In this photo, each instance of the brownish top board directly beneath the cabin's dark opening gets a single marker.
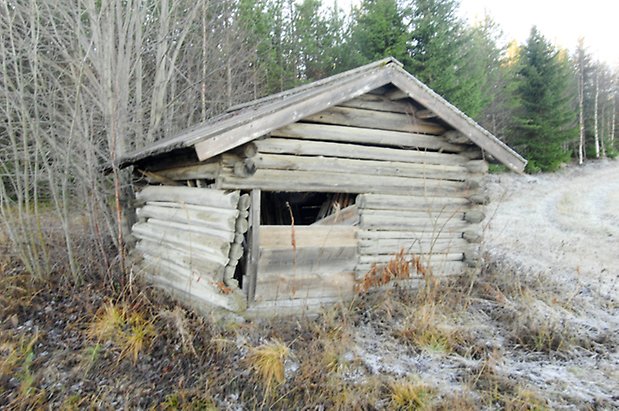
(280, 237)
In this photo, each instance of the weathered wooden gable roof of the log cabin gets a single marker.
(246, 122)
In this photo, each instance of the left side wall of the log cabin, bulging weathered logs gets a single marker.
(190, 240)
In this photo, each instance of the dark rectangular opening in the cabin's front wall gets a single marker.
(307, 208)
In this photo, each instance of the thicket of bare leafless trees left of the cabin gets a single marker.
(83, 82)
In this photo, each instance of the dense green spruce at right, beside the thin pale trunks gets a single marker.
(546, 119)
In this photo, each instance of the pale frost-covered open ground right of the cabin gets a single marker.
(565, 224)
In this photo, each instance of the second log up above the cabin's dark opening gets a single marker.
(355, 166)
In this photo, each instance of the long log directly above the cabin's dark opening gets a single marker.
(299, 181)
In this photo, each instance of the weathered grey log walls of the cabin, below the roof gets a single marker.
(419, 190)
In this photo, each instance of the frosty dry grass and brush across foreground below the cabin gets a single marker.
(505, 340)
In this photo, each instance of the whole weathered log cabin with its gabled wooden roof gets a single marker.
(291, 201)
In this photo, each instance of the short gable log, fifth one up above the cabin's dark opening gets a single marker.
(353, 117)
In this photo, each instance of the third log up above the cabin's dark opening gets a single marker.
(328, 149)
